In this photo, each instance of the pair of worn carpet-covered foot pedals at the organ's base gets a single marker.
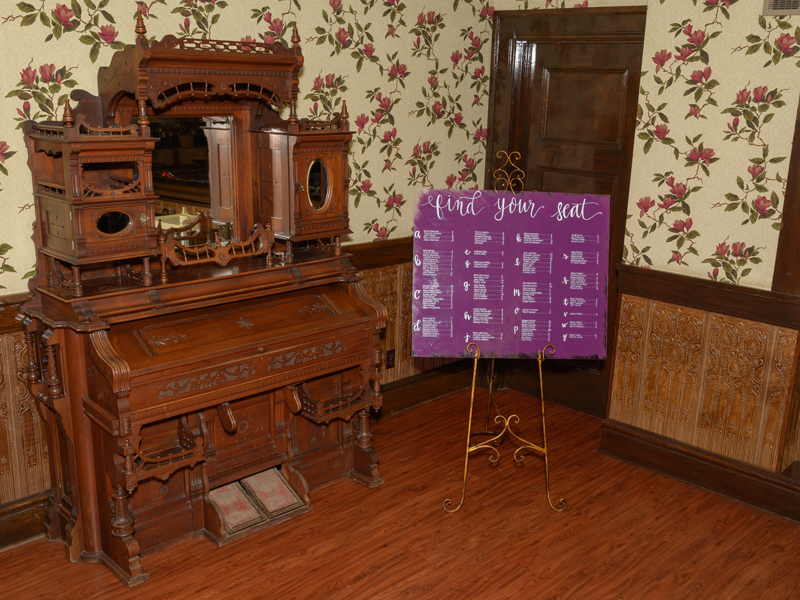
(256, 500)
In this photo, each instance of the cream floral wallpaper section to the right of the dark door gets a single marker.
(717, 107)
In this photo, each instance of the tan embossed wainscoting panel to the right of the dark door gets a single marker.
(712, 381)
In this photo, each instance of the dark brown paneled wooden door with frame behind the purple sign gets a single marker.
(564, 94)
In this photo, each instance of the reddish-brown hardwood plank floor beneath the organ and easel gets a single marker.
(628, 533)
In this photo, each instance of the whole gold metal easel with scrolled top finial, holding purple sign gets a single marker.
(509, 177)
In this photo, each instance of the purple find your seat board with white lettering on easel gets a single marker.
(510, 272)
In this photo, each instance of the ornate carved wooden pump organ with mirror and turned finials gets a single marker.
(177, 347)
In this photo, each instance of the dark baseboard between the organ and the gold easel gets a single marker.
(425, 387)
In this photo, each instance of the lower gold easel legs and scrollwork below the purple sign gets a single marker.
(506, 422)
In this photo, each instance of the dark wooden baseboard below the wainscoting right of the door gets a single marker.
(762, 489)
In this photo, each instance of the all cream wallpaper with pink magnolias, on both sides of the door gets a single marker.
(716, 115)
